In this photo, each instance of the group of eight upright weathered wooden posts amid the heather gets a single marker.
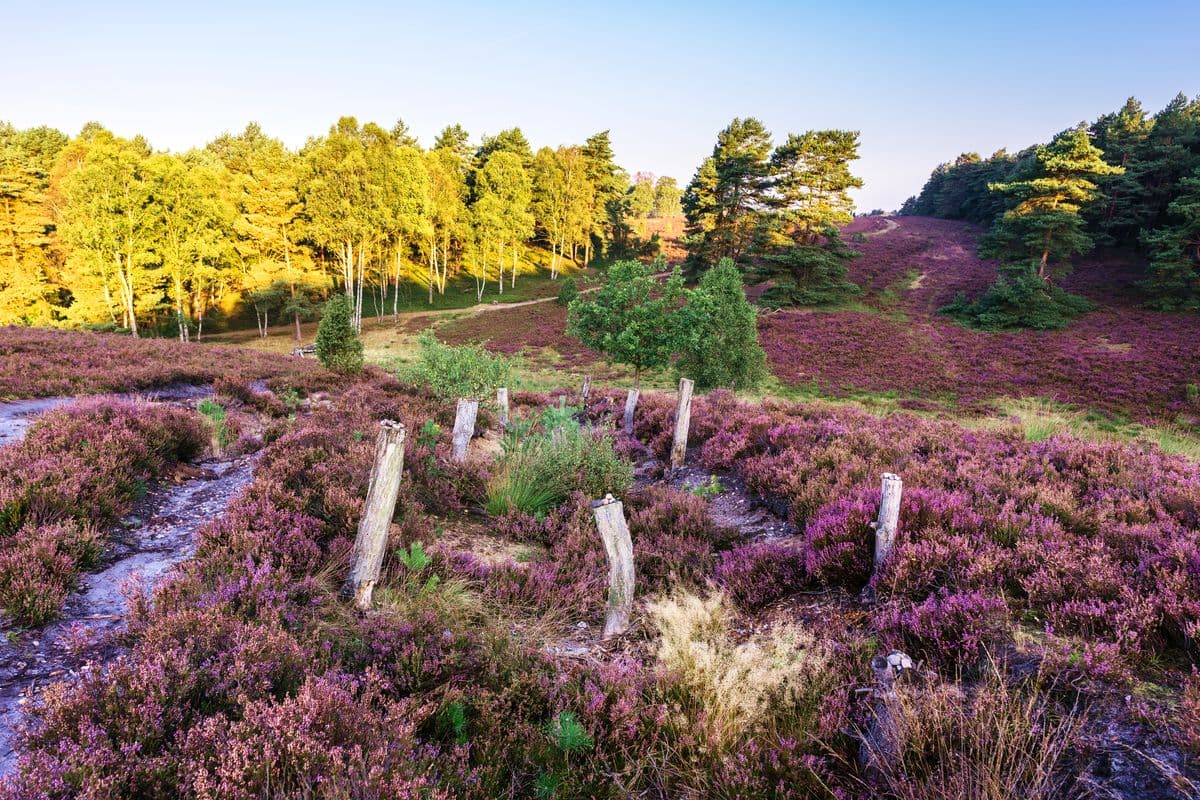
(371, 542)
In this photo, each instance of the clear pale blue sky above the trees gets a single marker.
(923, 82)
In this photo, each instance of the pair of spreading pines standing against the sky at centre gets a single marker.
(775, 210)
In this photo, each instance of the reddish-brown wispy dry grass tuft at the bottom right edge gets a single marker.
(1001, 741)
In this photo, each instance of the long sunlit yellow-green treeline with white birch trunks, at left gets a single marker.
(105, 231)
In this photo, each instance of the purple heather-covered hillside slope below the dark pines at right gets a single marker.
(1119, 359)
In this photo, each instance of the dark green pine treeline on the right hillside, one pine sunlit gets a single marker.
(1141, 189)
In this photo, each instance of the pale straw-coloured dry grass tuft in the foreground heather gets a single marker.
(730, 691)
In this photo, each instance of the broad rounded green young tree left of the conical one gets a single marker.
(631, 318)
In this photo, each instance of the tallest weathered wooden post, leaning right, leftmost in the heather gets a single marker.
(367, 558)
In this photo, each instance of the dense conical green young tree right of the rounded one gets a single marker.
(721, 342)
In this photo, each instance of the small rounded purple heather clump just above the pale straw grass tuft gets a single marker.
(759, 574)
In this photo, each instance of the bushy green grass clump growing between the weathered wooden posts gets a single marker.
(547, 461)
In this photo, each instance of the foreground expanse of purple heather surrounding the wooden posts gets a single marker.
(1035, 584)
